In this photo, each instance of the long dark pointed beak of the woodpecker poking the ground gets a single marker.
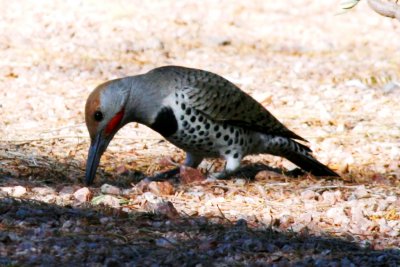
(97, 148)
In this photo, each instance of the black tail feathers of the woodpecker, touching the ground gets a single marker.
(310, 164)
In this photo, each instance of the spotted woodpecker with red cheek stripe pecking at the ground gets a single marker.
(198, 111)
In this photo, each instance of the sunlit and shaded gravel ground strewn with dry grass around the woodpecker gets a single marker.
(333, 79)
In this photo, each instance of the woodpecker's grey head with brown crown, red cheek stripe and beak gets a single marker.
(105, 114)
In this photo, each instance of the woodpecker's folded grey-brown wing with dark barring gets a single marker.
(221, 100)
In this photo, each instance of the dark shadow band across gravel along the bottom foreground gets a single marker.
(36, 233)
